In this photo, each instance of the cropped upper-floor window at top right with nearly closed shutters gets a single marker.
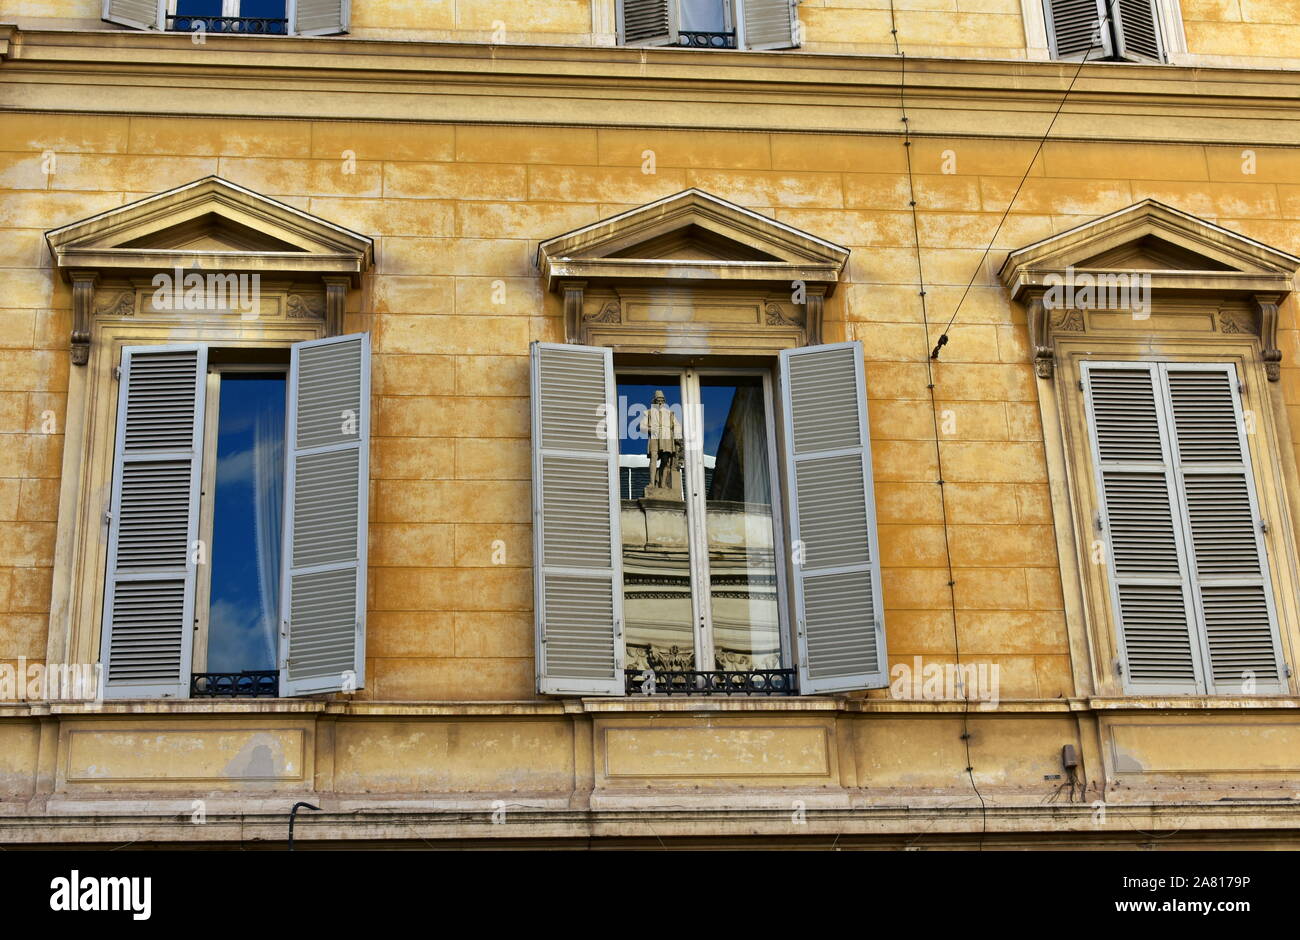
(1129, 31)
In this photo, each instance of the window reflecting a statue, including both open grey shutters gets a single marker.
(660, 535)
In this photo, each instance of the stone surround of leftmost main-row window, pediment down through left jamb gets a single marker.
(304, 296)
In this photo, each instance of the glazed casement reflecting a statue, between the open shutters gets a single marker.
(700, 577)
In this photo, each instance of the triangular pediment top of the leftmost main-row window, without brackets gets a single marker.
(215, 224)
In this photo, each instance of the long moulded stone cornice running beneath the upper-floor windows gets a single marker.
(348, 79)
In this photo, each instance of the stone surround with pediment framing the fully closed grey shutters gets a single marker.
(1227, 313)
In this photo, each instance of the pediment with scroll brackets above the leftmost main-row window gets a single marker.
(213, 227)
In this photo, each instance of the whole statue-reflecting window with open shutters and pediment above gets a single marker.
(704, 513)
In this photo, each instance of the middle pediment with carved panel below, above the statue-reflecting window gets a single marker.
(695, 271)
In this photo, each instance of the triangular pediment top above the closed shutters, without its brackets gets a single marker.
(1176, 248)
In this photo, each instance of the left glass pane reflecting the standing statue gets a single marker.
(660, 620)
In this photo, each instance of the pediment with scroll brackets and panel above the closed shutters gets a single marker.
(1150, 271)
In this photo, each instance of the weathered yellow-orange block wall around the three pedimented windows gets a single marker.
(456, 210)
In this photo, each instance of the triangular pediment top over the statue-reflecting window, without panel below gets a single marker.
(692, 236)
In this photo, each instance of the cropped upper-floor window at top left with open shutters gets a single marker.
(242, 18)
